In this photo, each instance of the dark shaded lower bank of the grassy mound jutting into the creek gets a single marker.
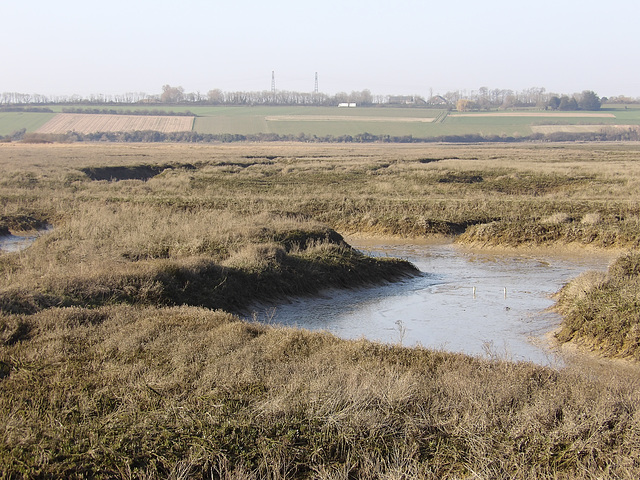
(200, 281)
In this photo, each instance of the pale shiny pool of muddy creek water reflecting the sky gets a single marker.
(474, 303)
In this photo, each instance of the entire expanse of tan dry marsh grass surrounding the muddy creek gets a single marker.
(110, 367)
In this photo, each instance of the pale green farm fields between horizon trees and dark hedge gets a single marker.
(335, 121)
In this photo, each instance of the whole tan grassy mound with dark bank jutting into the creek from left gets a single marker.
(110, 256)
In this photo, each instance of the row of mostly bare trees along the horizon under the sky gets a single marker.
(481, 99)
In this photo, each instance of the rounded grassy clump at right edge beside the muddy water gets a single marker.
(602, 311)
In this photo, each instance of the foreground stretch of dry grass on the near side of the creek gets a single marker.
(150, 392)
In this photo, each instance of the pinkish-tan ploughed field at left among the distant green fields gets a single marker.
(91, 123)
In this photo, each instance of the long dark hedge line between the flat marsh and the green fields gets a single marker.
(631, 134)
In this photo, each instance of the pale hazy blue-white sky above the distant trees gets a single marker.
(389, 47)
